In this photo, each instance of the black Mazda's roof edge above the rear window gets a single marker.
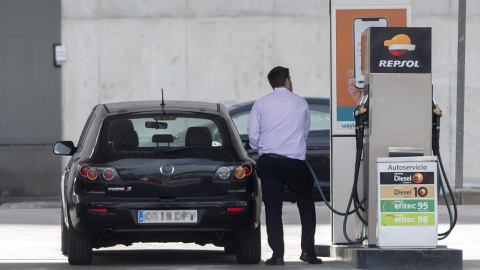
(156, 105)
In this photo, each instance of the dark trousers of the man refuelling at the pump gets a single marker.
(275, 173)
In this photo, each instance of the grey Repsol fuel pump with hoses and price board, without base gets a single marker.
(396, 113)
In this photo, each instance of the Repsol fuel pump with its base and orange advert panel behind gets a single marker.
(393, 140)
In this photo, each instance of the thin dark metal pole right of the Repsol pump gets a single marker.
(462, 6)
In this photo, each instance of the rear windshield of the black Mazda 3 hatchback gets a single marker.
(162, 135)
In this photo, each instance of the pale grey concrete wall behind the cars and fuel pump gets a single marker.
(221, 51)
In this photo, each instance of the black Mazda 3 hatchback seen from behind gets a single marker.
(154, 171)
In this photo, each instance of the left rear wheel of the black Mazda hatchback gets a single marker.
(79, 248)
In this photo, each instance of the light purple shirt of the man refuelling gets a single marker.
(279, 123)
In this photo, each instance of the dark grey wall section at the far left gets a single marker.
(30, 104)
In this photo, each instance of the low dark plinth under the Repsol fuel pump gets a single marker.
(362, 257)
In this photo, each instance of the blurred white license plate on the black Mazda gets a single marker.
(167, 216)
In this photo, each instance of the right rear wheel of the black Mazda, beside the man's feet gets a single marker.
(249, 248)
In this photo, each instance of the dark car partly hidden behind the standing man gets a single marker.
(318, 141)
